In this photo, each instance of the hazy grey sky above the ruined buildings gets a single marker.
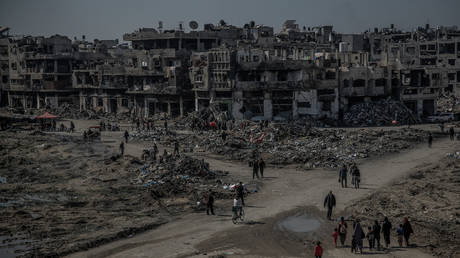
(109, 19)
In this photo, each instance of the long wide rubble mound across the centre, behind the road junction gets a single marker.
(294, 143)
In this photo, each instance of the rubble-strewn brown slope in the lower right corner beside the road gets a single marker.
(429, 198)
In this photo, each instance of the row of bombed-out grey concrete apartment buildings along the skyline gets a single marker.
(250, 71)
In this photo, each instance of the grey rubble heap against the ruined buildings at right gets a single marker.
(379, 113)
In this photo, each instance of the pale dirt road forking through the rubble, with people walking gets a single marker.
(284, 190)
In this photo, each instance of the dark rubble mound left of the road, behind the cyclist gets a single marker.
(179, 176)
